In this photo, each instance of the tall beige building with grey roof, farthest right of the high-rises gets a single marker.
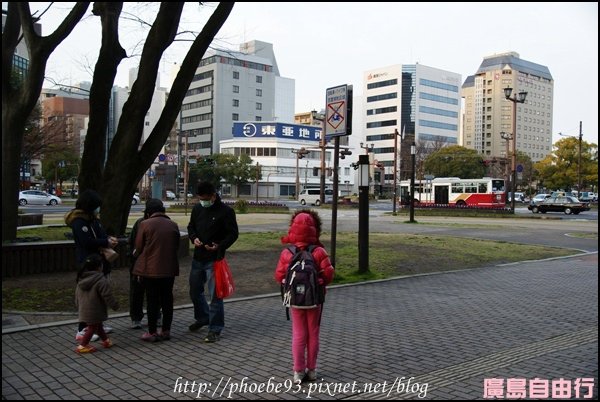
(487, 113)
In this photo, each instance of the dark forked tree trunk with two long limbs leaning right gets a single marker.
(125, 165)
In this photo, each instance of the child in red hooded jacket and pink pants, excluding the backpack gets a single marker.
(304, 231)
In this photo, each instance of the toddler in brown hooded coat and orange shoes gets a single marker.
(93, 296)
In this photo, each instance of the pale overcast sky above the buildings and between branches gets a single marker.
(321, 45)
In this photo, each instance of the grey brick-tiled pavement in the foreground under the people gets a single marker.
(447, 331)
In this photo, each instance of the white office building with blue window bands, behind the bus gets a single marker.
(421, 103)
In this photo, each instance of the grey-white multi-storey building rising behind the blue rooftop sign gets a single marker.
(232, 86)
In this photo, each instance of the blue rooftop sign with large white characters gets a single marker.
(277, 130)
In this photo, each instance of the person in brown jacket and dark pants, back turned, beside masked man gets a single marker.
(157, 265)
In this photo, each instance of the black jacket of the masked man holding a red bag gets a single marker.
(215, 224)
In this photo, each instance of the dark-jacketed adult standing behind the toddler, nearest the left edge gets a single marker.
(89, 236)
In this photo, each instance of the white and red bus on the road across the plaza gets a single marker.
(486, 192)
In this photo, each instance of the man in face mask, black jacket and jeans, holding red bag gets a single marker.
(212, 229)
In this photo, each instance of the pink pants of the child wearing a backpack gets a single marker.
(305, 338)
